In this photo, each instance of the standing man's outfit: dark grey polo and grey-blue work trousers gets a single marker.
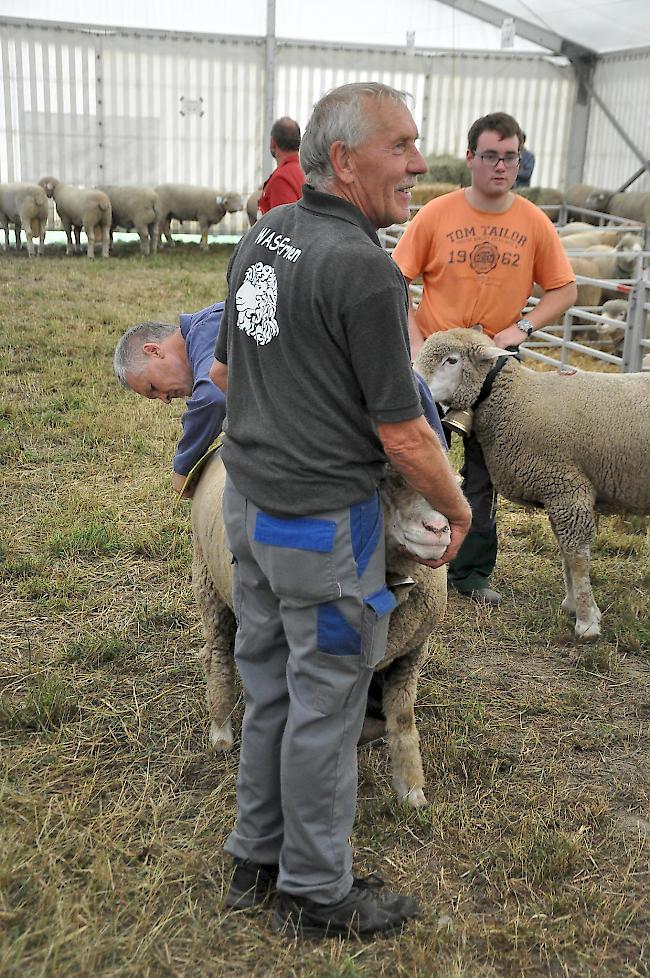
(315, 339)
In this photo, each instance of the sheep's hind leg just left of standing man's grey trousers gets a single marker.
(217, 658)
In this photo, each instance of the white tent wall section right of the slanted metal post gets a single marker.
(622, 80)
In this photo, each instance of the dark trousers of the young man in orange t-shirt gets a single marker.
(476, 558)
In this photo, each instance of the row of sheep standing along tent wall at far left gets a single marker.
(101, 210)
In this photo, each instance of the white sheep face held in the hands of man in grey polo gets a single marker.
(411, 522)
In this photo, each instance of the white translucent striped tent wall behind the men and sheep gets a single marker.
(95, 105)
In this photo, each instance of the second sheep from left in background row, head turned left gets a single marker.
(79, 208)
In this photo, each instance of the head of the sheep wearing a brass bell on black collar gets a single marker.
(455, 363)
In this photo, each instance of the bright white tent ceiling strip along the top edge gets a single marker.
(604, 25)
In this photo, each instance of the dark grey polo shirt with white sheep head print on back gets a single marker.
(315, 337)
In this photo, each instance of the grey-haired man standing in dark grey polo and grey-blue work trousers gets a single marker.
(314, 352)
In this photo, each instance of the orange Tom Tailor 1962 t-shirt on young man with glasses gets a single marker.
(477, 266)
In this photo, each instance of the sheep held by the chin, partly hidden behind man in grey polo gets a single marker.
(420, 590)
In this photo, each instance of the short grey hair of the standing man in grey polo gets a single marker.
(340, 115)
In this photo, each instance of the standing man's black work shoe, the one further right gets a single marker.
(369, 908)
